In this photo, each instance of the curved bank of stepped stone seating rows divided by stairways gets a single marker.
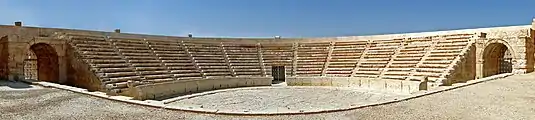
(131, 65)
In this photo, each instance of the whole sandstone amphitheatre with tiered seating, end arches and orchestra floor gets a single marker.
(262, 76)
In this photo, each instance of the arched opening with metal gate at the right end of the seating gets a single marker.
(497, 59)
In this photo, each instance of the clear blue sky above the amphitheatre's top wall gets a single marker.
(267, 18)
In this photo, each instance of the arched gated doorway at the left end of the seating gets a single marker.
(47, 62)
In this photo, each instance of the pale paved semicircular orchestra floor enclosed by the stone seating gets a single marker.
(285, 99)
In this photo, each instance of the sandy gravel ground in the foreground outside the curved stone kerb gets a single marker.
(510, 98)
